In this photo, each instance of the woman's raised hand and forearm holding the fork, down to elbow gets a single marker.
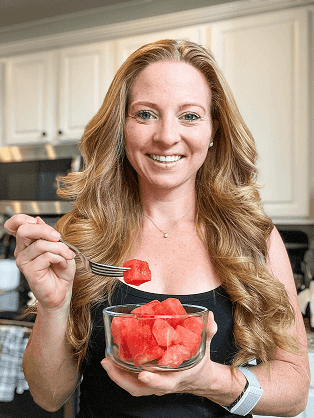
(49, 268)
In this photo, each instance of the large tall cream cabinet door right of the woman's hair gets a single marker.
(265, 61)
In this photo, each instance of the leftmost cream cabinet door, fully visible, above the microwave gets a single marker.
(30, 98)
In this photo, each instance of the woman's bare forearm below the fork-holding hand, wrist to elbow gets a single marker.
(48, 364)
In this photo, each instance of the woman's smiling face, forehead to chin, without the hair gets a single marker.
(168, 127)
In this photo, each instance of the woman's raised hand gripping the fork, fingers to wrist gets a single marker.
(47, 264)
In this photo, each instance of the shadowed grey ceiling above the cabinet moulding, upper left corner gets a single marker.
(14, 12)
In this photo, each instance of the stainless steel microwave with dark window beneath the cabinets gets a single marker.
(30, 176)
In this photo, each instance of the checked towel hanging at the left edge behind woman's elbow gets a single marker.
(12, 347)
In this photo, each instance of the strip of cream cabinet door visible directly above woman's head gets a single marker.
(127, 46)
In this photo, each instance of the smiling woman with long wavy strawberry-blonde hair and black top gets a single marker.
(169, 178)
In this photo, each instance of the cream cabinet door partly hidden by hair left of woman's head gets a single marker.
(85, 75)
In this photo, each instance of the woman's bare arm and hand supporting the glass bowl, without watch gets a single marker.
(285, 388)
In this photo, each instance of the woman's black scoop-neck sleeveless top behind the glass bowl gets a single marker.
(100, 397)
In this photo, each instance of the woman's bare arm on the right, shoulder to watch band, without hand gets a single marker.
(287, 388)
